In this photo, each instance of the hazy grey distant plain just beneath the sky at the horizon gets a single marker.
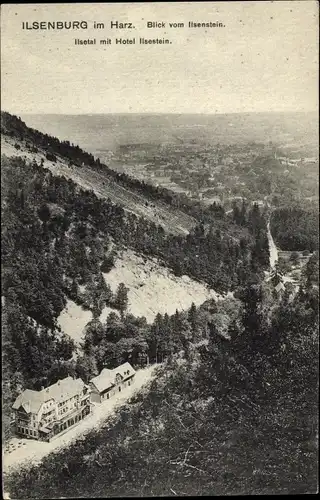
(107, 131)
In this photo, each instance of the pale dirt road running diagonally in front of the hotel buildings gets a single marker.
(19, 450)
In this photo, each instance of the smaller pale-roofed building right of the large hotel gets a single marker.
(111, 382)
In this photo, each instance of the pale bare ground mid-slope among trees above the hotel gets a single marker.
(152, 289)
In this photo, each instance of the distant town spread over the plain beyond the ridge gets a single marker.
(217, 174)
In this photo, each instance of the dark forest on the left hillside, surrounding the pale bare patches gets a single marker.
(56, 238)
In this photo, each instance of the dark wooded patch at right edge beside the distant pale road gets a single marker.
(296, 228)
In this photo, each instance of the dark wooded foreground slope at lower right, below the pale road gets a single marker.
(235, 416)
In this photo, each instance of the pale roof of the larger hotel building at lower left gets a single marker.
(62, 390)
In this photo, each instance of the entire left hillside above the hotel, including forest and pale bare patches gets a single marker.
(57, 239)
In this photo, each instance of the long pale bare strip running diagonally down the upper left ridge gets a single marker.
(18, 139)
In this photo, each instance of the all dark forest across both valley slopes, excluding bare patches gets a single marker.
(238, 376)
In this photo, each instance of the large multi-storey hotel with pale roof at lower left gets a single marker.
(44, 414)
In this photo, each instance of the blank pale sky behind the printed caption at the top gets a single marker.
(264, 59)
